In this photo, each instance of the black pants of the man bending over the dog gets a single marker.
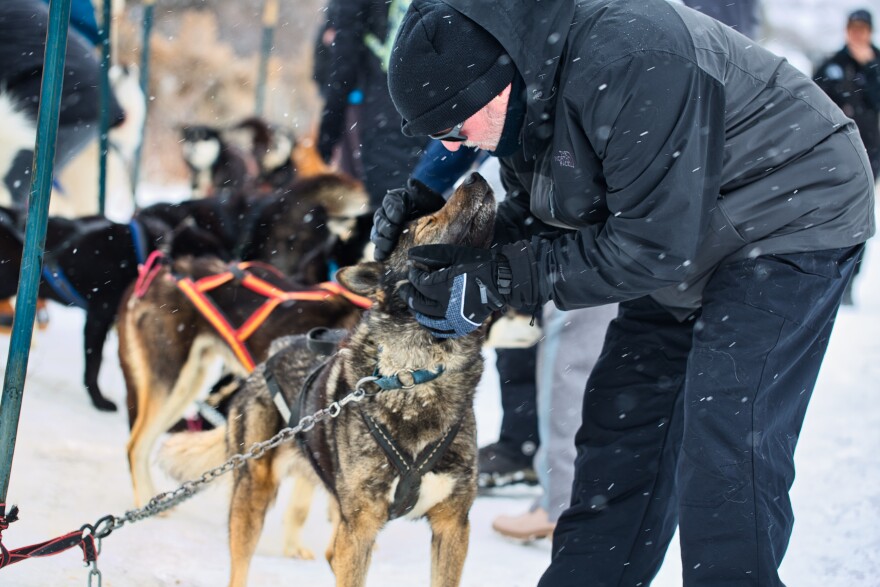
(695, 423)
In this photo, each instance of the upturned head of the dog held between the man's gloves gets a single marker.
(467, 219)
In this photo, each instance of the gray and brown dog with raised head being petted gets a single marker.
(352, 466)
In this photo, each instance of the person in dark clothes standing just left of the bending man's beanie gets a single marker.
(357, 59)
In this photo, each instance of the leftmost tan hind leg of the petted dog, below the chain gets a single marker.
(253, 490)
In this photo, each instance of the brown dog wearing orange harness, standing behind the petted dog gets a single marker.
(166, 342)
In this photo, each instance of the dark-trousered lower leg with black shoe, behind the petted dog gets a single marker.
(509, 459)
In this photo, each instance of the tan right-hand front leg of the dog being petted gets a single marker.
(449, 543)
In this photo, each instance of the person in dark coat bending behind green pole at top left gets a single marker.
(23, 28)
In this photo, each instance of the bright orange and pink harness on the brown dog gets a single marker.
(236, 338)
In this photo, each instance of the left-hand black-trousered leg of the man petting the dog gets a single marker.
(623, 514)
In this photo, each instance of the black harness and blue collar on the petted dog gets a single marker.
(410, 470)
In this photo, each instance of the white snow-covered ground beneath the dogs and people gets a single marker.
(70, 468)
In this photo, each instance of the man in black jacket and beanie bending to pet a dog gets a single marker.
(655, 158)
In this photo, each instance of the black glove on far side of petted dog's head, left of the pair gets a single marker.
(399, 207)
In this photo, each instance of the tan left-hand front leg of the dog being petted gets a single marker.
(353, 545)
